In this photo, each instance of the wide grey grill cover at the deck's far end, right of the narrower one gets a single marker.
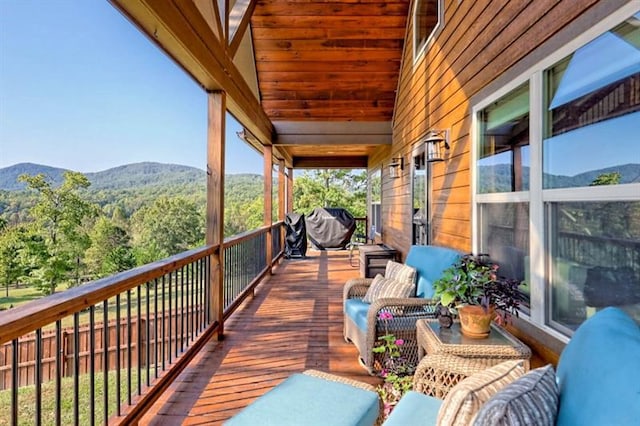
(330, 228)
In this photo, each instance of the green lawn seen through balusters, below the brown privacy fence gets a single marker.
(26, 399)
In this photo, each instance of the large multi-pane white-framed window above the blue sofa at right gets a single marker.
(557, 166)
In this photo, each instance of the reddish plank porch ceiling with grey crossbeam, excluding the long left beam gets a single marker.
(327, 74)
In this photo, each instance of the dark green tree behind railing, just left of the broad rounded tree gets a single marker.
(110, 250)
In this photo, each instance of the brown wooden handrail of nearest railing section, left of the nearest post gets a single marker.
(31, 316)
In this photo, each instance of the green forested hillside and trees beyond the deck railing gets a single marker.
(60, 228)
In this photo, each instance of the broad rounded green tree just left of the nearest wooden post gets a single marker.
(166, 227)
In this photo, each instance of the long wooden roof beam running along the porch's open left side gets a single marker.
(182, 32)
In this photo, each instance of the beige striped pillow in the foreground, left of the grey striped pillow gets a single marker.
(465, 399)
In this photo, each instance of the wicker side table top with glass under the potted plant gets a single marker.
(498, 347)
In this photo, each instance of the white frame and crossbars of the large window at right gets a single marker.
(539, 261)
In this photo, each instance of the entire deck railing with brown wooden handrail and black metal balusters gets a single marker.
(106, 351)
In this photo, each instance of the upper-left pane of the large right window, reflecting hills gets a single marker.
(503, 160)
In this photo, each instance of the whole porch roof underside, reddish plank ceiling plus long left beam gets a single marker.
(326, 71)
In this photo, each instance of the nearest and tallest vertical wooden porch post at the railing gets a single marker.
(215, 199)
